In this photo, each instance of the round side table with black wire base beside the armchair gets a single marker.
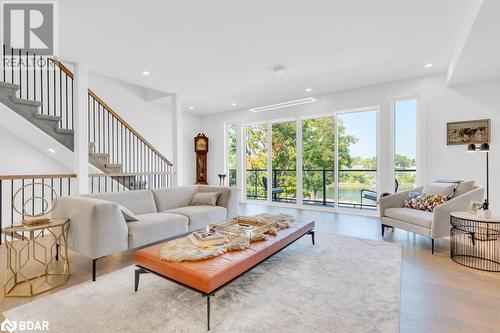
(475, 241)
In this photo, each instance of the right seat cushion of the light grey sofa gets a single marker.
(201, 216)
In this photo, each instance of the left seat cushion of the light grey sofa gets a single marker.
(155, 227)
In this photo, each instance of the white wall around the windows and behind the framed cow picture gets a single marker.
(438, 104)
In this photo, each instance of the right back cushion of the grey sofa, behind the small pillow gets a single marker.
(175, 197)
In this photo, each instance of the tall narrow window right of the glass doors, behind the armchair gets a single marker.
(405, 143)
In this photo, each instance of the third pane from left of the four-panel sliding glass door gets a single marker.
(318, 137)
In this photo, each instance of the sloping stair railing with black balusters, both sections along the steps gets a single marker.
(51, 83)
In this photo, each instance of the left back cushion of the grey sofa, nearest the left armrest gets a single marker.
(139, 202)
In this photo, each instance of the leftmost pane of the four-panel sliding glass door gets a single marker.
(256, 137)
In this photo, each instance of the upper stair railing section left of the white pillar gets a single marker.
(41, 79)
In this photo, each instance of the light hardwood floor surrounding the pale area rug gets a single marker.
(437, 294)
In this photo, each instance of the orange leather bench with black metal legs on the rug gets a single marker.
(209, 275)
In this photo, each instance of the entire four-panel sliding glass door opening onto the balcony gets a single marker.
(338, 155)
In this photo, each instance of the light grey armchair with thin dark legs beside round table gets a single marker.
(434, 224)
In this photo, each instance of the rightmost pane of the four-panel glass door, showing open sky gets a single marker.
(357, 159)
